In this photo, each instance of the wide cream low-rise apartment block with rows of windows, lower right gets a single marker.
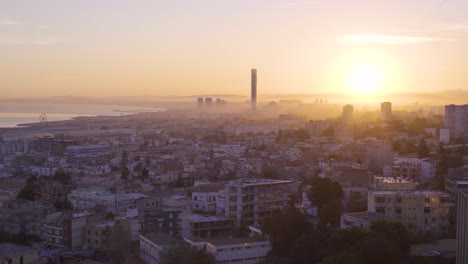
(419, 210)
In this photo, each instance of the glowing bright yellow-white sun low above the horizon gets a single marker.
(365, 78)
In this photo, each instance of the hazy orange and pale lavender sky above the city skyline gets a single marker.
(191, 47)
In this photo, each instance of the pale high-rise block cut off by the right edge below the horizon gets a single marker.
(456, 119)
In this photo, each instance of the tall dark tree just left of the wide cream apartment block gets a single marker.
(327, 195)
